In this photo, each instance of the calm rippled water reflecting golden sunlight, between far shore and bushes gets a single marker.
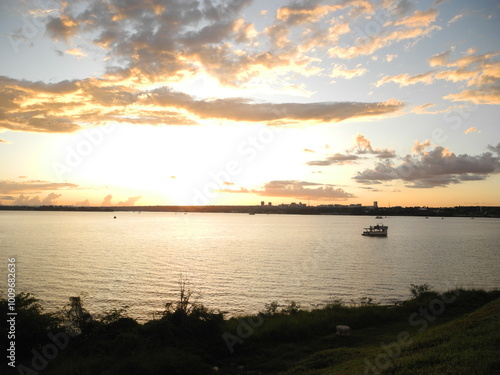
(238, 262)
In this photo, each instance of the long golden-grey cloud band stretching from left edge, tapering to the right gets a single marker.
(68, 106)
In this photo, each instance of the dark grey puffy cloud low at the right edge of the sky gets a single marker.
(438, 167)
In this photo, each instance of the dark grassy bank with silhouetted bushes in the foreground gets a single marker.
(456, 332)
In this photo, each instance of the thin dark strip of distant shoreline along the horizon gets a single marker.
(458, 211)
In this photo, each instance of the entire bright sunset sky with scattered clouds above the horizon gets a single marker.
(200, 102)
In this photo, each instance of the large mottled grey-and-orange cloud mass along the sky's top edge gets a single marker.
(164, 41)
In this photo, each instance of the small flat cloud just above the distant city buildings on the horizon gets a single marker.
(298, 190)
